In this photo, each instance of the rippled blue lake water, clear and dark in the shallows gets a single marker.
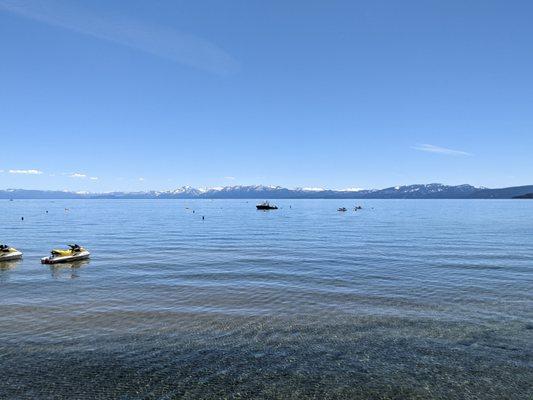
(429, 299)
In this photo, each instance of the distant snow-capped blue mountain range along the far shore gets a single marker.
(428, 191)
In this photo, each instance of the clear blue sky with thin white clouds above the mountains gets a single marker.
(152, 95)
